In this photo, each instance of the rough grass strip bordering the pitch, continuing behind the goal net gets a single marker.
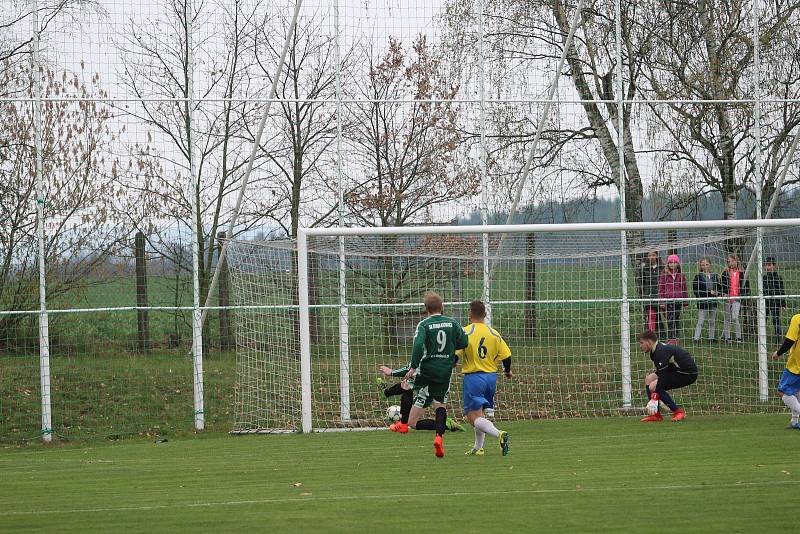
(106, 394)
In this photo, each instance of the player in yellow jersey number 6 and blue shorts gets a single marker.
(479, 364)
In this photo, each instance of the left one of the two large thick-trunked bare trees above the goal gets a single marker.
(526, 36)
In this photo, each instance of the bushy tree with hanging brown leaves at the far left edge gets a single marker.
(81, 200)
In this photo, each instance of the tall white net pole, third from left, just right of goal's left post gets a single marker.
(344, 317)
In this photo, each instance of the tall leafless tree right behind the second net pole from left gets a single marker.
(216, 132)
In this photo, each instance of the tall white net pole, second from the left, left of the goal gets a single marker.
(194, 180)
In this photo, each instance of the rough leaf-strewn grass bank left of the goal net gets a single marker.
(109, 394)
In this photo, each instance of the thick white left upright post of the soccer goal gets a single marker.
(305, 331)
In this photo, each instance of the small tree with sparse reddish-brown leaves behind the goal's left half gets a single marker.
(409, 146)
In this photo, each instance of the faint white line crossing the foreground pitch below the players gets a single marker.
(609, 489)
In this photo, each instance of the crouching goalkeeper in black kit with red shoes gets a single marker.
(675, 368)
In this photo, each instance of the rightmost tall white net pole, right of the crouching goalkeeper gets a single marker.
(763, 385)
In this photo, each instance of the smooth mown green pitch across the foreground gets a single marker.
(708, 474)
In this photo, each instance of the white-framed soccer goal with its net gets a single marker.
(317, 316)
